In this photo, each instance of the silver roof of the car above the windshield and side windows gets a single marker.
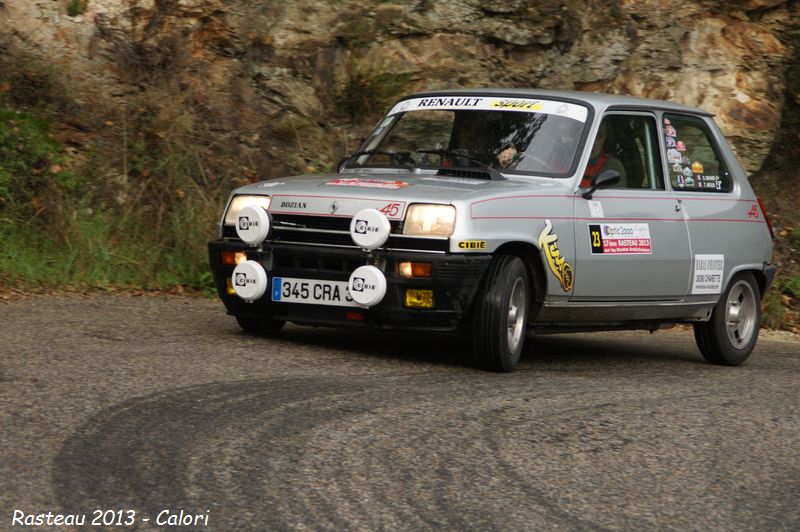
(599, 101)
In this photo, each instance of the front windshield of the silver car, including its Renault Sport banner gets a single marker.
(524, 136)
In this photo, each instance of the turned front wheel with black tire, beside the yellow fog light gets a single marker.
(495, 343)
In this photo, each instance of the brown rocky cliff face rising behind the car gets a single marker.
(289, 85)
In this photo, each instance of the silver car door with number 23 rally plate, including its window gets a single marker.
(632, 241)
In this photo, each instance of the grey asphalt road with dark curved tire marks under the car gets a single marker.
(151, 404)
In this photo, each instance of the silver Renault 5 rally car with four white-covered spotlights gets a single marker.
(496, 212)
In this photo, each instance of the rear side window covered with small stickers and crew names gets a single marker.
(694, 162)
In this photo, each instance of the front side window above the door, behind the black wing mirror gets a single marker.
(629, 145)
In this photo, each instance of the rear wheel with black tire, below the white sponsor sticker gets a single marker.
(728, 338)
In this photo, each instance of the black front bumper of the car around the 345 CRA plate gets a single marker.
(454, 281)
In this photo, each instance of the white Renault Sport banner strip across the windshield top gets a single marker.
(493, 103)
